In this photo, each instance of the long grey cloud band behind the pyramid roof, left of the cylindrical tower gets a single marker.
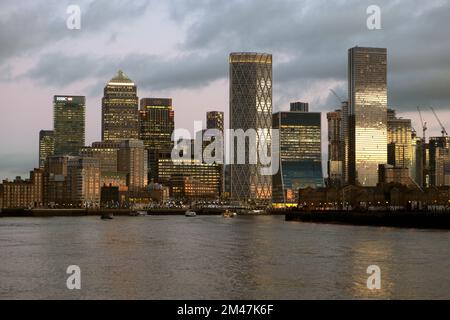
(151, 72)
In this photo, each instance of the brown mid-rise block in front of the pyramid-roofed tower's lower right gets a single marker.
(132, 159)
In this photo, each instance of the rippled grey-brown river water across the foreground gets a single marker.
(216, 258)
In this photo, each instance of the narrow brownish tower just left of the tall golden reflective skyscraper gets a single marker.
(335, 149)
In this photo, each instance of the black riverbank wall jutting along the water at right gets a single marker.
(396, 219)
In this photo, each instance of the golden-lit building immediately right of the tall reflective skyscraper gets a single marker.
(399, 141)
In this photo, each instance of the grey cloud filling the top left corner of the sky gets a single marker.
(31, 26)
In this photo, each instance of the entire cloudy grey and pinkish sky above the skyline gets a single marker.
(179, 49)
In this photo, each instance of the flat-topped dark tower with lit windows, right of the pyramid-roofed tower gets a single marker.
(157, 124)
